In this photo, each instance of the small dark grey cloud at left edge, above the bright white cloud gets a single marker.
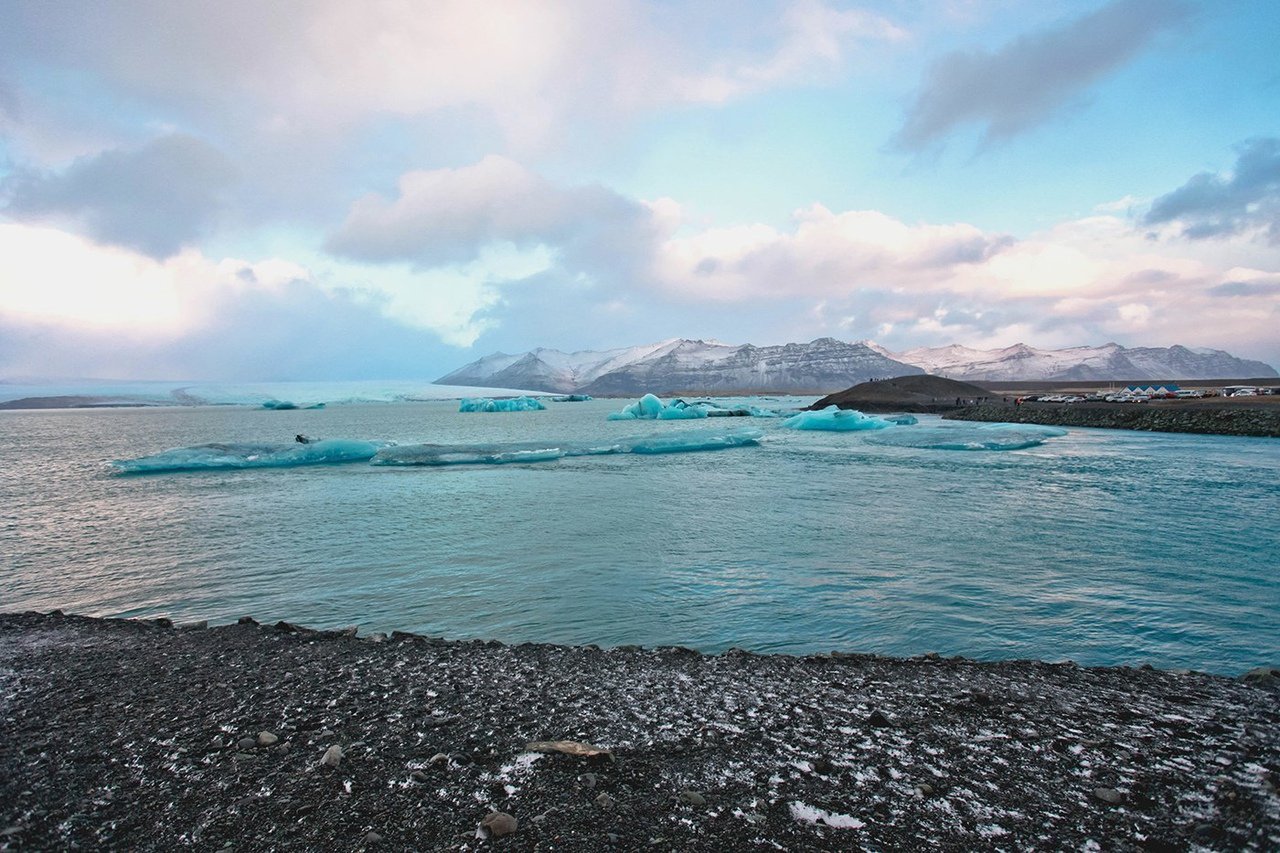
(156, 199)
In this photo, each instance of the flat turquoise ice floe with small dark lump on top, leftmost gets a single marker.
(220, 457)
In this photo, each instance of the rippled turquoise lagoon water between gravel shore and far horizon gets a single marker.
(1100, 546)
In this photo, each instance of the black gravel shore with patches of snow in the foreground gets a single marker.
(144, 736)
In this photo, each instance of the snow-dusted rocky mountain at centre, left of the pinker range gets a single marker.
(687, 366)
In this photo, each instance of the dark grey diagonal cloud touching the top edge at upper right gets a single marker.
(1022, 84)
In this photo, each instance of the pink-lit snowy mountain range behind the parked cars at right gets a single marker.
(1105, 363)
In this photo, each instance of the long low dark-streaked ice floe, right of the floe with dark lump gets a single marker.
(682, 443)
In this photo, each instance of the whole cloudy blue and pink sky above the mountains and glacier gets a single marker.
(330, 190)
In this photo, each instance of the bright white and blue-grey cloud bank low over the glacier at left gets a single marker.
(74, 308)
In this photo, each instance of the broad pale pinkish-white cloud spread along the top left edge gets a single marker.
(532, 69)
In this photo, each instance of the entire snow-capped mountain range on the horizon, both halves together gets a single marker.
(682, 366)
